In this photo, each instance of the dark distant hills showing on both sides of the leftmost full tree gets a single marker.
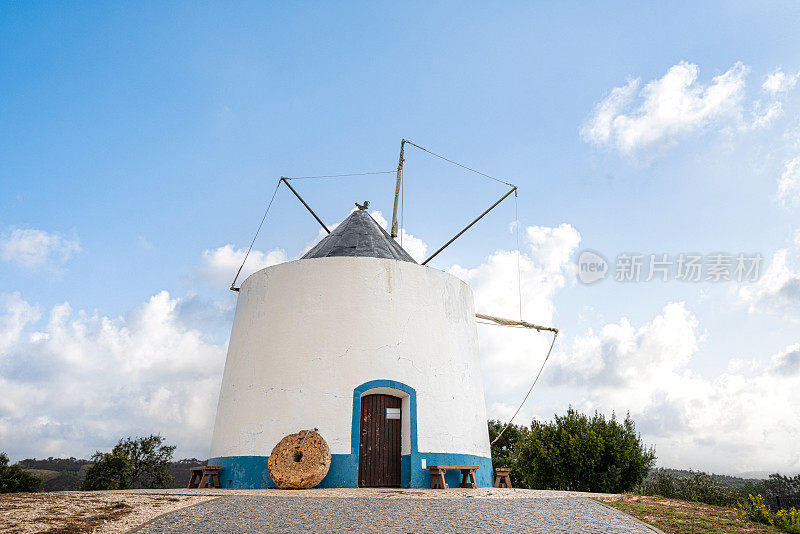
(63, 474)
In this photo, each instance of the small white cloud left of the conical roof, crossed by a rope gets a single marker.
(221, 264)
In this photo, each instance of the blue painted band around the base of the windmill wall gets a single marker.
(251, 472)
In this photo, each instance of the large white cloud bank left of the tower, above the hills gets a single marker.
(80, 382)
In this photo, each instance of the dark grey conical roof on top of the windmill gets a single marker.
(359, 235)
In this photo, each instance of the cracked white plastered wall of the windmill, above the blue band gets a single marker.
(306, 333)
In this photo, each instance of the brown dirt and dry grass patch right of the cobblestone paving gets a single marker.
(682, 517)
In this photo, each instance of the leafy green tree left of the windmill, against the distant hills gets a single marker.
(132, 463)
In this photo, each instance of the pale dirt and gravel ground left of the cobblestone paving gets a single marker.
(79, 512)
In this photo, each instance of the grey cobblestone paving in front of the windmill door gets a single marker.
(248, 513)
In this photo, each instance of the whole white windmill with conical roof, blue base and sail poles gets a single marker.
(357, 339)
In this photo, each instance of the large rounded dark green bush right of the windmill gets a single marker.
(580, 453)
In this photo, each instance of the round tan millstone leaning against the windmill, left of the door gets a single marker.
(290, 470)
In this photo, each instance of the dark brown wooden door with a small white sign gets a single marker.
(379, 444)
